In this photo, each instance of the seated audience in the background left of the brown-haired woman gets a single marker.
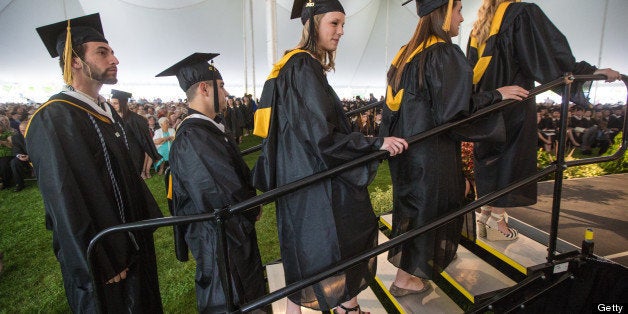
(162, 119)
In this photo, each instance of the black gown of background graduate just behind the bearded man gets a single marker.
(140, 141)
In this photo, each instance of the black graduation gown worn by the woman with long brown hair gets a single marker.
(428, 180)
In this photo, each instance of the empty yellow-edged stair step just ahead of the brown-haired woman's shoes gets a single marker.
(470, 274)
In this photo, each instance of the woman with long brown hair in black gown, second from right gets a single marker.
(429, 84)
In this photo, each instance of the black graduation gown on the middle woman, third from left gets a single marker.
(332, 220)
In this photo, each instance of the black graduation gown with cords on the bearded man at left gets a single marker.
(75, 180)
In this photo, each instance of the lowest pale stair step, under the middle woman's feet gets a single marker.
(276, 280)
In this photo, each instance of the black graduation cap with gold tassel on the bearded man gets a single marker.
(59, 38)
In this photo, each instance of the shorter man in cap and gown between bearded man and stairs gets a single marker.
(209, 173)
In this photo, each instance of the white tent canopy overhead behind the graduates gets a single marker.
(150, 35)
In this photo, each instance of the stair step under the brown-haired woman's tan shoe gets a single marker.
(434, 302)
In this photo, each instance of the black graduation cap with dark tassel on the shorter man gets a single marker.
(194, 69)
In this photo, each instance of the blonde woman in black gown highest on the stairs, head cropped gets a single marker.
(516, 44)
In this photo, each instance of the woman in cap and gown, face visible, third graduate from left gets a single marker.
(329, 221)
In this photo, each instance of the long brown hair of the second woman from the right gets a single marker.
(429, 25)
